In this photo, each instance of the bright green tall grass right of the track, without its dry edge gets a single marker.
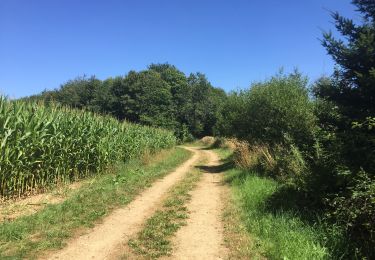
(281, 234)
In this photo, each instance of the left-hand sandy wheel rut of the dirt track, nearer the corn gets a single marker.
(105, 239)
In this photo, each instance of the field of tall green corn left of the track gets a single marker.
(42, 145)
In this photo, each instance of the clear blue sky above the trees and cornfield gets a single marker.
(44, 43)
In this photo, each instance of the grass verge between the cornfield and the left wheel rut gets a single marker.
(27, 237)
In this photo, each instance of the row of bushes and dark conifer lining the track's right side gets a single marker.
(319, 141)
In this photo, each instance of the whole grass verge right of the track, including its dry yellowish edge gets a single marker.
(263, 231)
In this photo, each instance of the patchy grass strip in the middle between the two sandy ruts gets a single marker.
(154, 240)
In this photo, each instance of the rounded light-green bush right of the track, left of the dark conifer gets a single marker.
(275, 112)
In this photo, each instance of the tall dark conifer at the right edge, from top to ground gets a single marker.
(348, 135)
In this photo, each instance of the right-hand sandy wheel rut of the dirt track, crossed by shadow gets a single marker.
(202, 237)
